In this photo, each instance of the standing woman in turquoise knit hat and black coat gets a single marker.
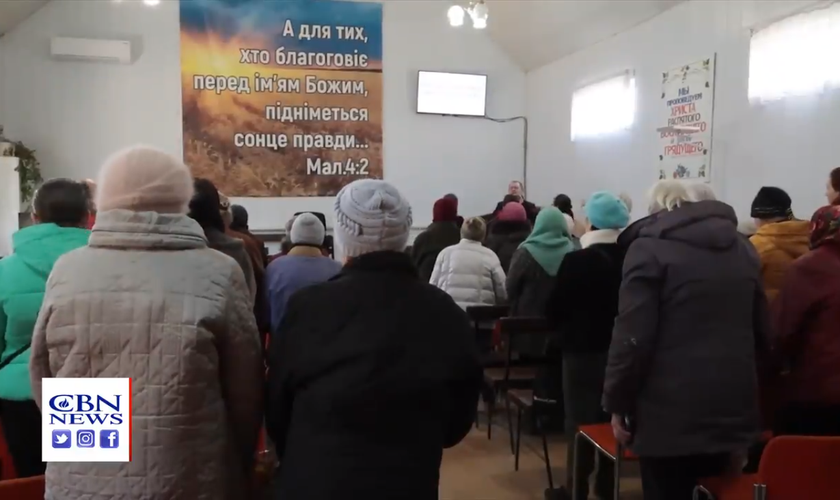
(582, 308)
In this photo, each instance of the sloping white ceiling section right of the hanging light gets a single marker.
(536, 32)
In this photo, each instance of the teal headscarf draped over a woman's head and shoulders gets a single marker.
(550, 241)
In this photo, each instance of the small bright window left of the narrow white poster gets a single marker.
(604, 107)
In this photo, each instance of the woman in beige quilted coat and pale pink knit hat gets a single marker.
(147, 299)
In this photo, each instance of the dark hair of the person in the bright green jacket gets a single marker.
(63, 202)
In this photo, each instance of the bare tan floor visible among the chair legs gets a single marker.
(482, 469)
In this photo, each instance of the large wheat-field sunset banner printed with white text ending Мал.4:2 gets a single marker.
(282, 98)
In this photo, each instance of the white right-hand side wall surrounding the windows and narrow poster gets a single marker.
(791, 144)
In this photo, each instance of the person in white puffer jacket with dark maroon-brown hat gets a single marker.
(469, 272)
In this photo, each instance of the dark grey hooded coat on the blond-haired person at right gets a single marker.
(692, 315)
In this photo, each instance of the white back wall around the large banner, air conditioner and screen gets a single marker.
(75, 114)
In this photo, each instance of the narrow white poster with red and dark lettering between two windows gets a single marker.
(685, 123)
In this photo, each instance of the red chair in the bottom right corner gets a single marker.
(791, 468)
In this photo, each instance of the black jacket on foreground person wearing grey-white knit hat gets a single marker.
(371, 375)
